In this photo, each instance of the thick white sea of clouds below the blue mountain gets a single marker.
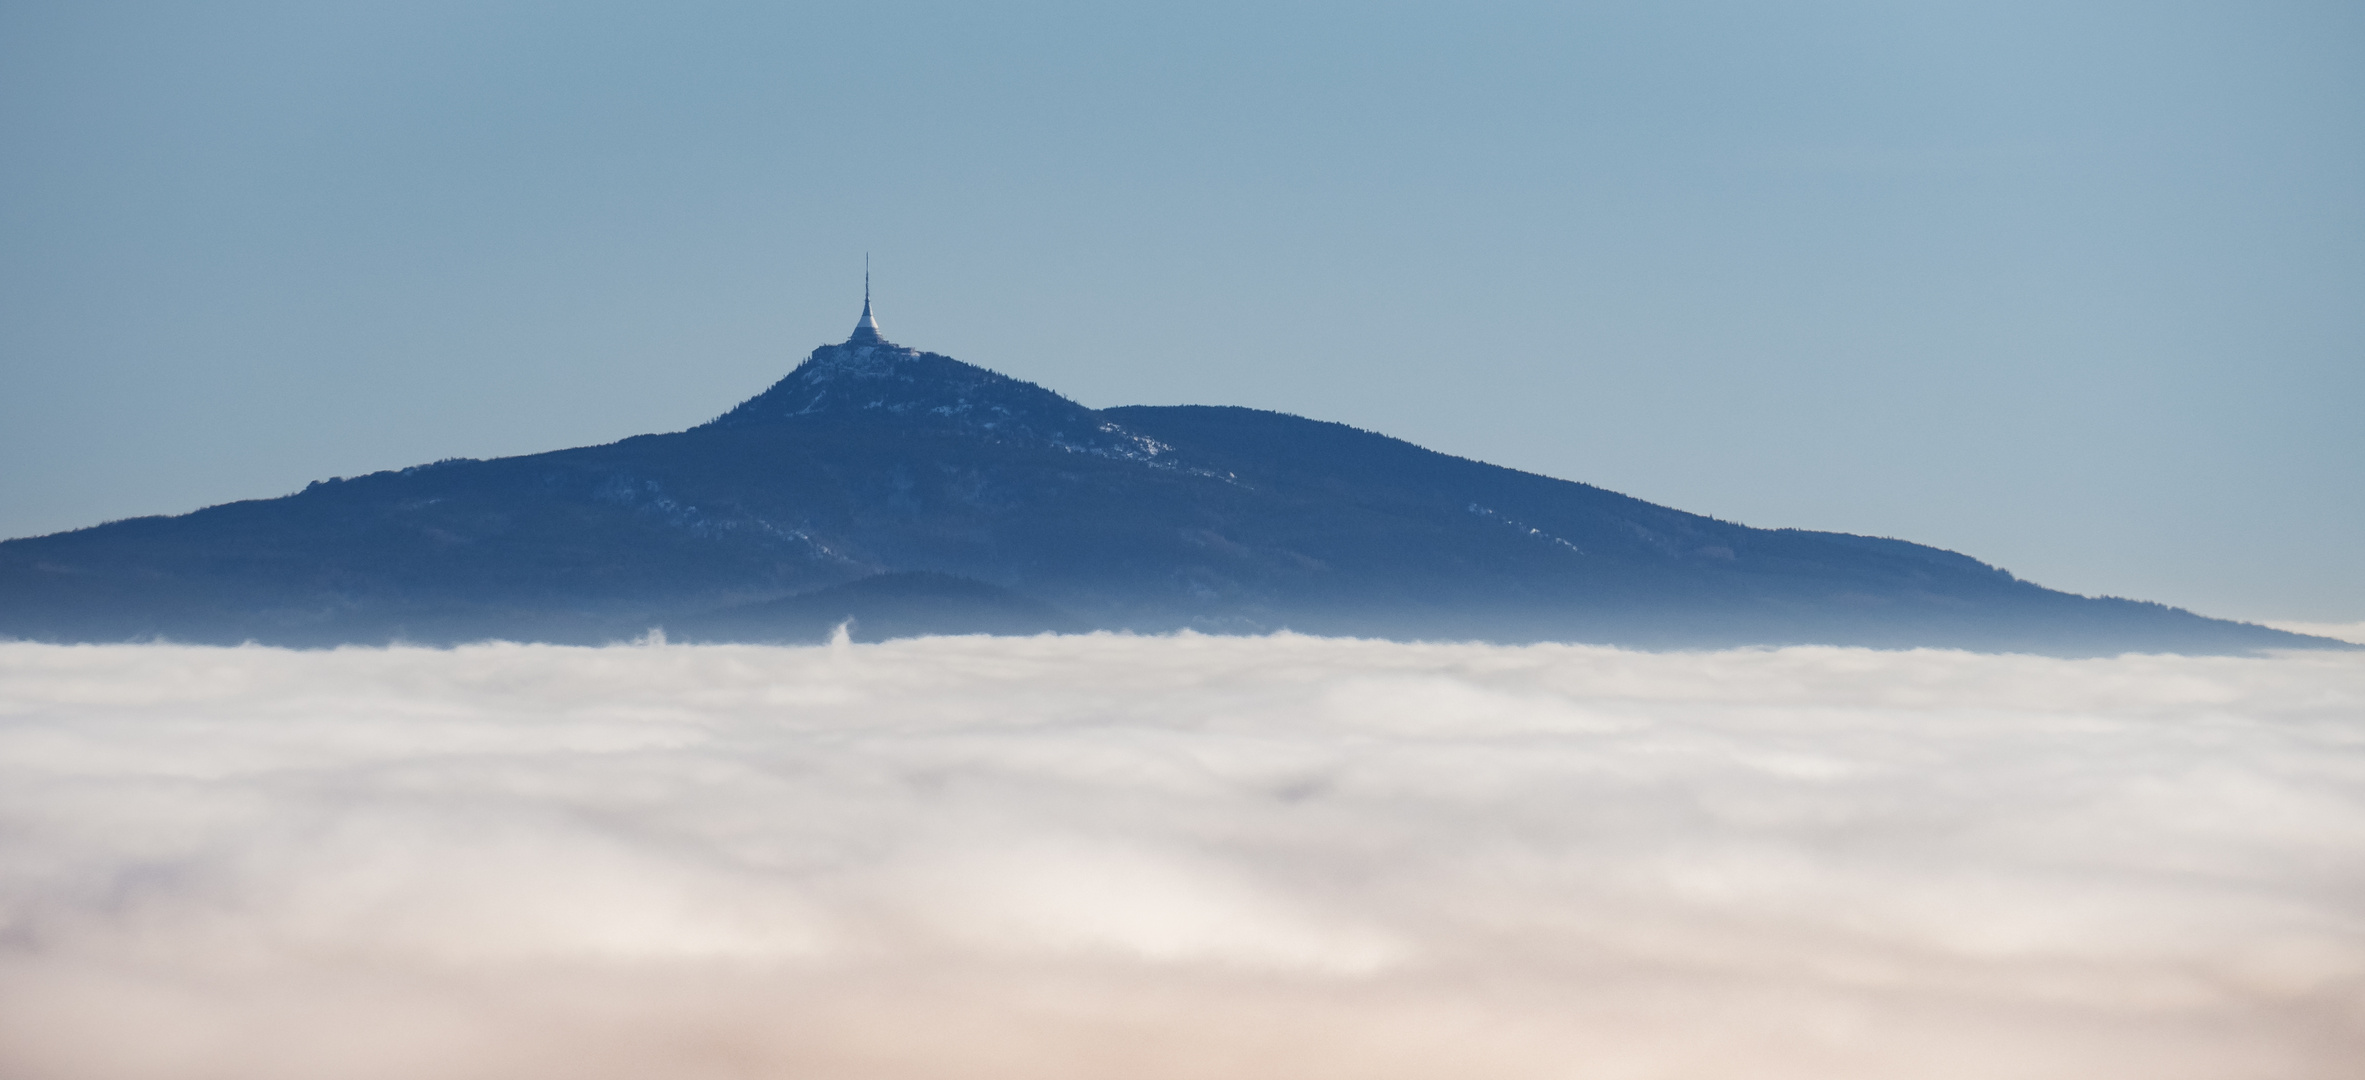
(1177, 859)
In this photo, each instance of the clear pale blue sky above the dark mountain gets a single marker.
(2071, 287)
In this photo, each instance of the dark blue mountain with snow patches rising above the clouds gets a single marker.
(912, 493)
